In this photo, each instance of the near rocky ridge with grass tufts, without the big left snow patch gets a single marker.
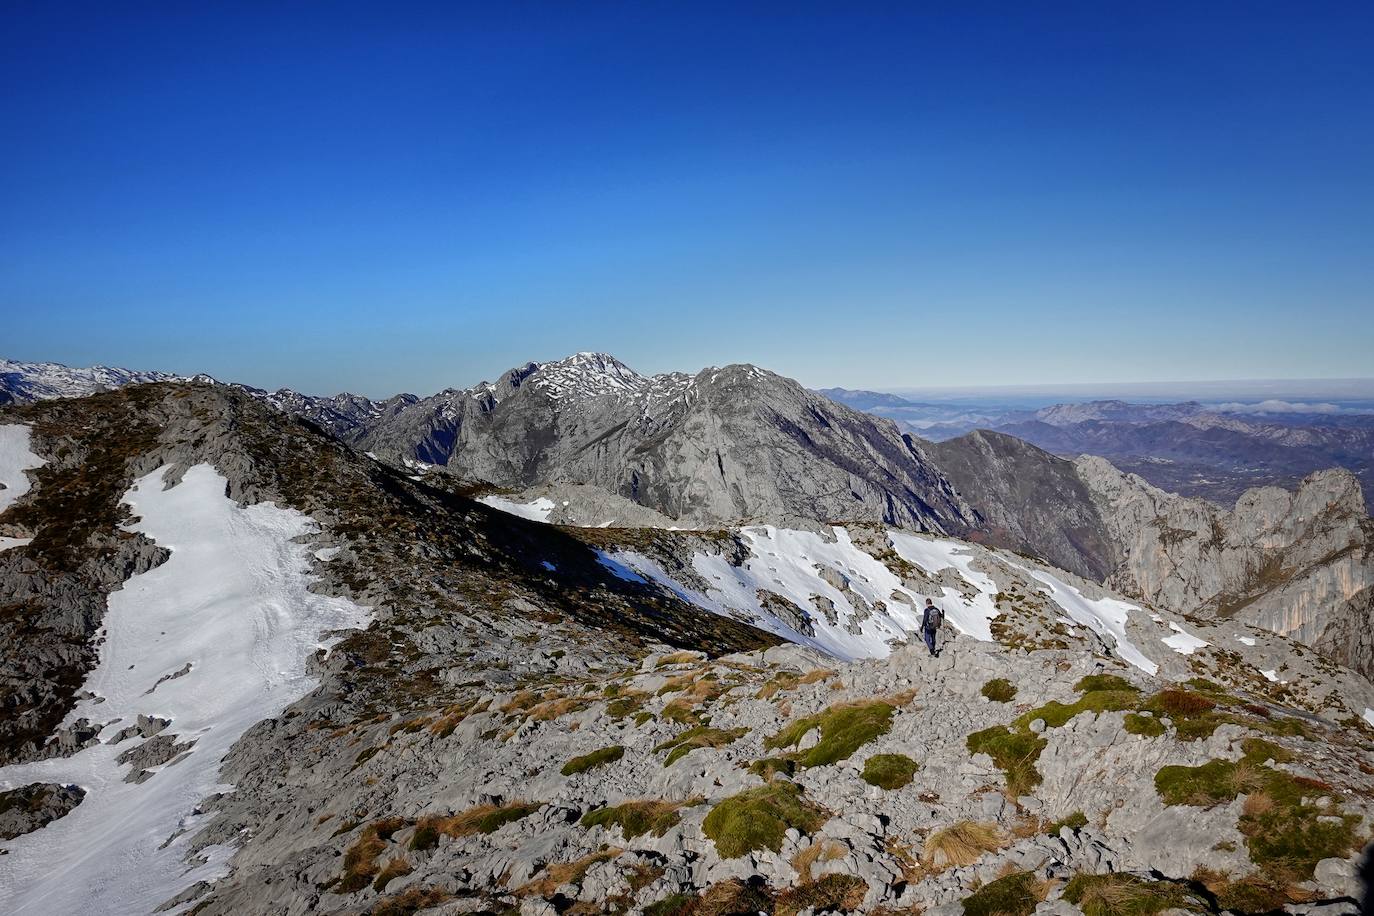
(527, 724)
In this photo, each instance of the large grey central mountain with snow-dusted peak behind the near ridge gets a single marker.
(728, 446)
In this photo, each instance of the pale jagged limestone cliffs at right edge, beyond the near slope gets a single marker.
(1299, 564)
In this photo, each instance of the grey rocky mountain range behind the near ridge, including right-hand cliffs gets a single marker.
(740, 446)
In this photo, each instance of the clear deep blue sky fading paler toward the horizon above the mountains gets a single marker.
(403, 197)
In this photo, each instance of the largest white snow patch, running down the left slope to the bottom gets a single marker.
(232, 604)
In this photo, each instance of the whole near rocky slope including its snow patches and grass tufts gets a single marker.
(546, 719)
